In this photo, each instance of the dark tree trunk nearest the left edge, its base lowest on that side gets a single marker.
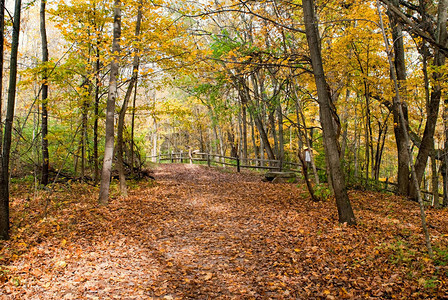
(6, 149)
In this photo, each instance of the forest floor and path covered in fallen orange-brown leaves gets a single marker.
(201, 233)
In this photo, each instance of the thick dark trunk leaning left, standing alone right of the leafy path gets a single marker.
(345, 211)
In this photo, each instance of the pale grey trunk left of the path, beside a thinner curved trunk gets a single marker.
(110, 109)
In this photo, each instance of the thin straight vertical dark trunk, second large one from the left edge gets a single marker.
(45, 154)
